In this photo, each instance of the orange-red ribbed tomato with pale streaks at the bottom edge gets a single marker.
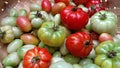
(37, 58)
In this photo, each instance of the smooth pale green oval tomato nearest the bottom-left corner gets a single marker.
(11, 60)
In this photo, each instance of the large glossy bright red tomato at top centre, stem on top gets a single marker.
(73, 17)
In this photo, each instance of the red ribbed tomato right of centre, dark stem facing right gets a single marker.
(79, 44)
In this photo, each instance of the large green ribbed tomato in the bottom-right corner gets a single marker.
(107, 55)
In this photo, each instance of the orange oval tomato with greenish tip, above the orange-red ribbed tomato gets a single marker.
(29, 39)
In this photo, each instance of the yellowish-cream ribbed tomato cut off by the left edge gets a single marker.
(6, 34)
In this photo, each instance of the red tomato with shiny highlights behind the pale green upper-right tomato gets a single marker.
(94, 6)
